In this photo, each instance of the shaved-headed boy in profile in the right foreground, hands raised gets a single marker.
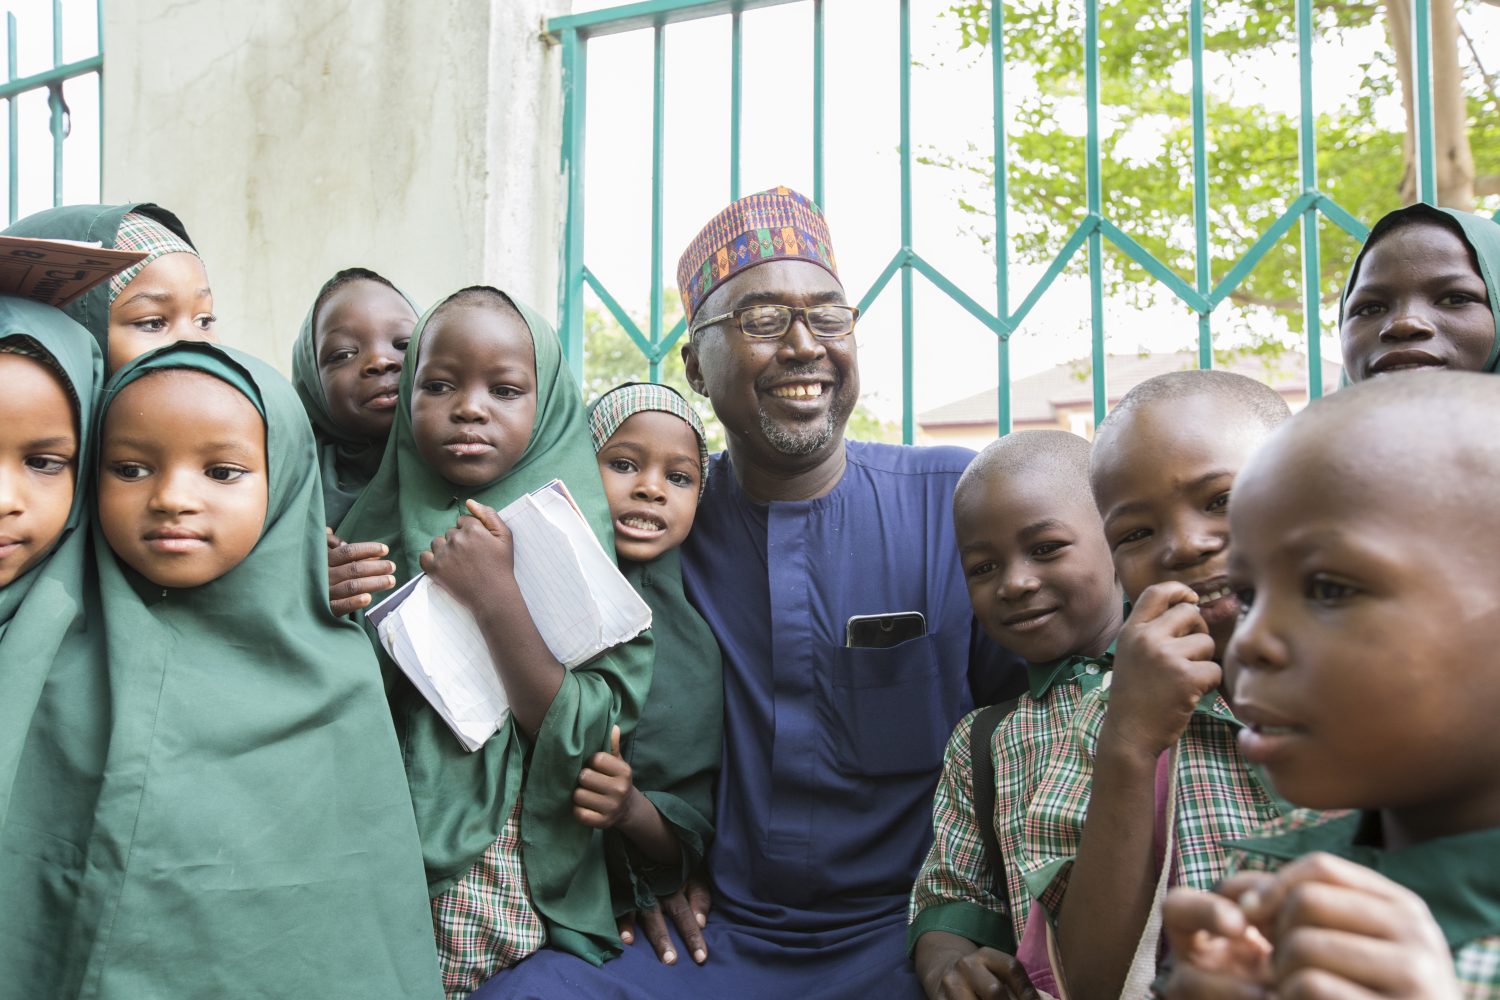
(1364, 677)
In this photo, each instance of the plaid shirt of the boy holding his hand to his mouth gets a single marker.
(1219, 798)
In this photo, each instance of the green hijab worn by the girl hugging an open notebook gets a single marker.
(463, 798)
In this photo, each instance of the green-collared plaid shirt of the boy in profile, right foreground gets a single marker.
(1459, 878)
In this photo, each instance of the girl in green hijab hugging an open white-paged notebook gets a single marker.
(490, 413)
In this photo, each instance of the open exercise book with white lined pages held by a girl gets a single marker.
(575, 594)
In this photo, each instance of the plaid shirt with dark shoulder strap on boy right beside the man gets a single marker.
(956, 887)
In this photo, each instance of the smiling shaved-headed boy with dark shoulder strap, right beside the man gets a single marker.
(1042, 584)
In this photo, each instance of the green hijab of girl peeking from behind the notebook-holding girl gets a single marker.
(347, 463)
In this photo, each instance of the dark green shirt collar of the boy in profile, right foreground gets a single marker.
(1456, 876)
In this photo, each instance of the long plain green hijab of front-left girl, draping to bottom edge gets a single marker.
(254, 834)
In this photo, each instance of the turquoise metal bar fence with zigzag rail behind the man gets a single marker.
(1202, 296)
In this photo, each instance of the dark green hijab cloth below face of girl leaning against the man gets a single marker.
(676, 752)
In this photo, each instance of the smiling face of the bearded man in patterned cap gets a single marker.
(785, 398)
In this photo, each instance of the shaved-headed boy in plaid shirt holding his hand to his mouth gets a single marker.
(1144, 794)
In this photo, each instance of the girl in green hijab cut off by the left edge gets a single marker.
(52, 671)
